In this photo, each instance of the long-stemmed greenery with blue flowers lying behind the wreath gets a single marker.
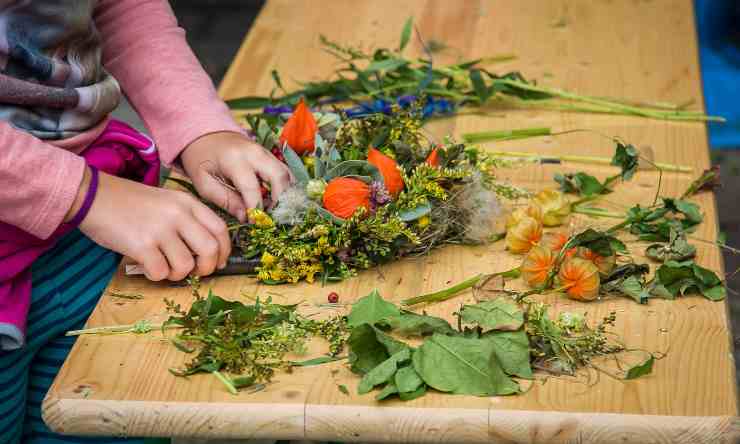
(376, 80)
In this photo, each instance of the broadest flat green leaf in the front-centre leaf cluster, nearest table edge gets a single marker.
(463, 366)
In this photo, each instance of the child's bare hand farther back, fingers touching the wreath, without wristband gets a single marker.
(235, 158)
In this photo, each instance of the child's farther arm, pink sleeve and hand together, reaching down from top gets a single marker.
(147, 52)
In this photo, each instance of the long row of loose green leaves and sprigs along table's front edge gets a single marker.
(498, 343)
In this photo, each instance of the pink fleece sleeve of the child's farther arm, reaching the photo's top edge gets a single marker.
(146, 51)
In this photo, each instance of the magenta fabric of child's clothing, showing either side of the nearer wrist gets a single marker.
(121, 151)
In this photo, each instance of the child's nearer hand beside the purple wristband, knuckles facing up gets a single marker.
(170, 233)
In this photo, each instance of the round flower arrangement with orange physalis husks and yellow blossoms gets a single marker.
(366, 191)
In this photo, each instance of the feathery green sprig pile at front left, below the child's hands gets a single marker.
(249, 342)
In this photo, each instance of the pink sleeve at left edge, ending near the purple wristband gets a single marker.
(38, 181)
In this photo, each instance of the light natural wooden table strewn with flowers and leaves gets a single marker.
(119, 385)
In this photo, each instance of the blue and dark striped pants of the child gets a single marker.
(67, 283)
